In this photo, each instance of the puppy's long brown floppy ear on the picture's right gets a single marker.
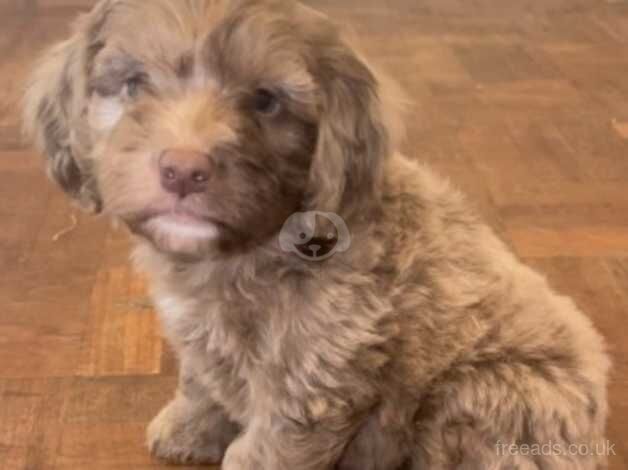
(358, 130)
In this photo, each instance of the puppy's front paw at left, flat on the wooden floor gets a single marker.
(180, 437)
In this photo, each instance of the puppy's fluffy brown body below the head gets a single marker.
(441, 346)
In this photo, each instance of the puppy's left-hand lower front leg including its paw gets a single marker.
(191, 428)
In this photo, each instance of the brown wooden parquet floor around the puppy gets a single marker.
(522, 103)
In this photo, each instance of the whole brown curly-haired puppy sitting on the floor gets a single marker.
(423, 344)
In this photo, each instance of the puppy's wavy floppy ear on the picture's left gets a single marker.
(55, 107)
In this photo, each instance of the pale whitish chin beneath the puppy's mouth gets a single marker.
(179, 234)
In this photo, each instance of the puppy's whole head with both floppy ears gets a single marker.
(205, 124)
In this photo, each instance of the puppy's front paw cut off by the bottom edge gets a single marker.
(279, 443)
